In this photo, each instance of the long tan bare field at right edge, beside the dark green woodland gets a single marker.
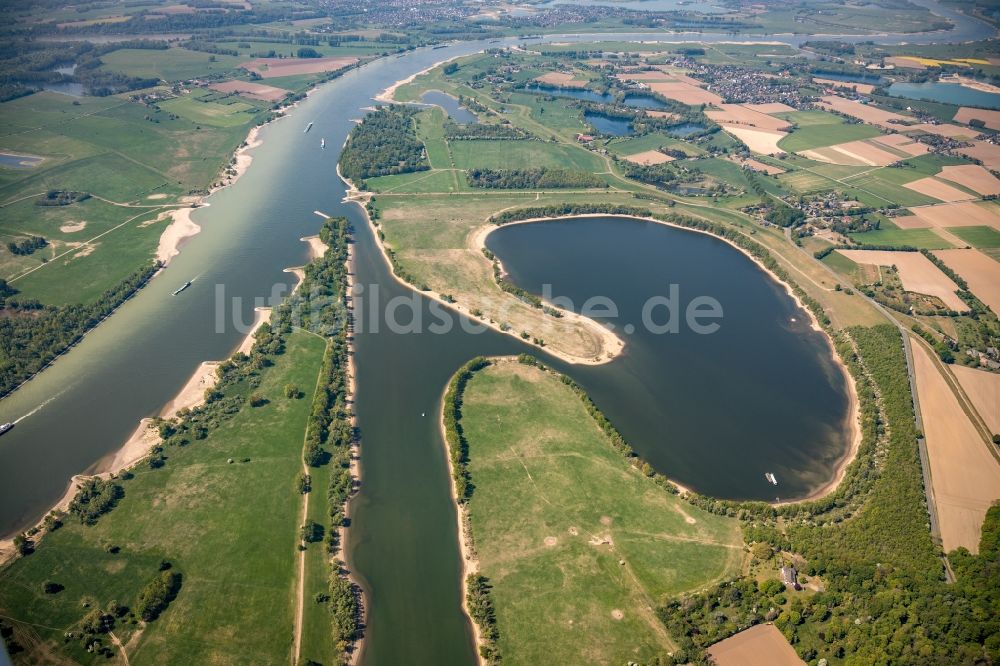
(964, 475)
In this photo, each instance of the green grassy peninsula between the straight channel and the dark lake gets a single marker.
(576, 543)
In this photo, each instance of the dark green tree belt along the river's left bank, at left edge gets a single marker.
(32, 335)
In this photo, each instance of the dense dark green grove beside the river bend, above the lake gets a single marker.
(384, 143)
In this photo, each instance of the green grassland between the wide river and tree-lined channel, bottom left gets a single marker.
(236, 603)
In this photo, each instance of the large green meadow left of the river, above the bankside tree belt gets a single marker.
(135, 160)
